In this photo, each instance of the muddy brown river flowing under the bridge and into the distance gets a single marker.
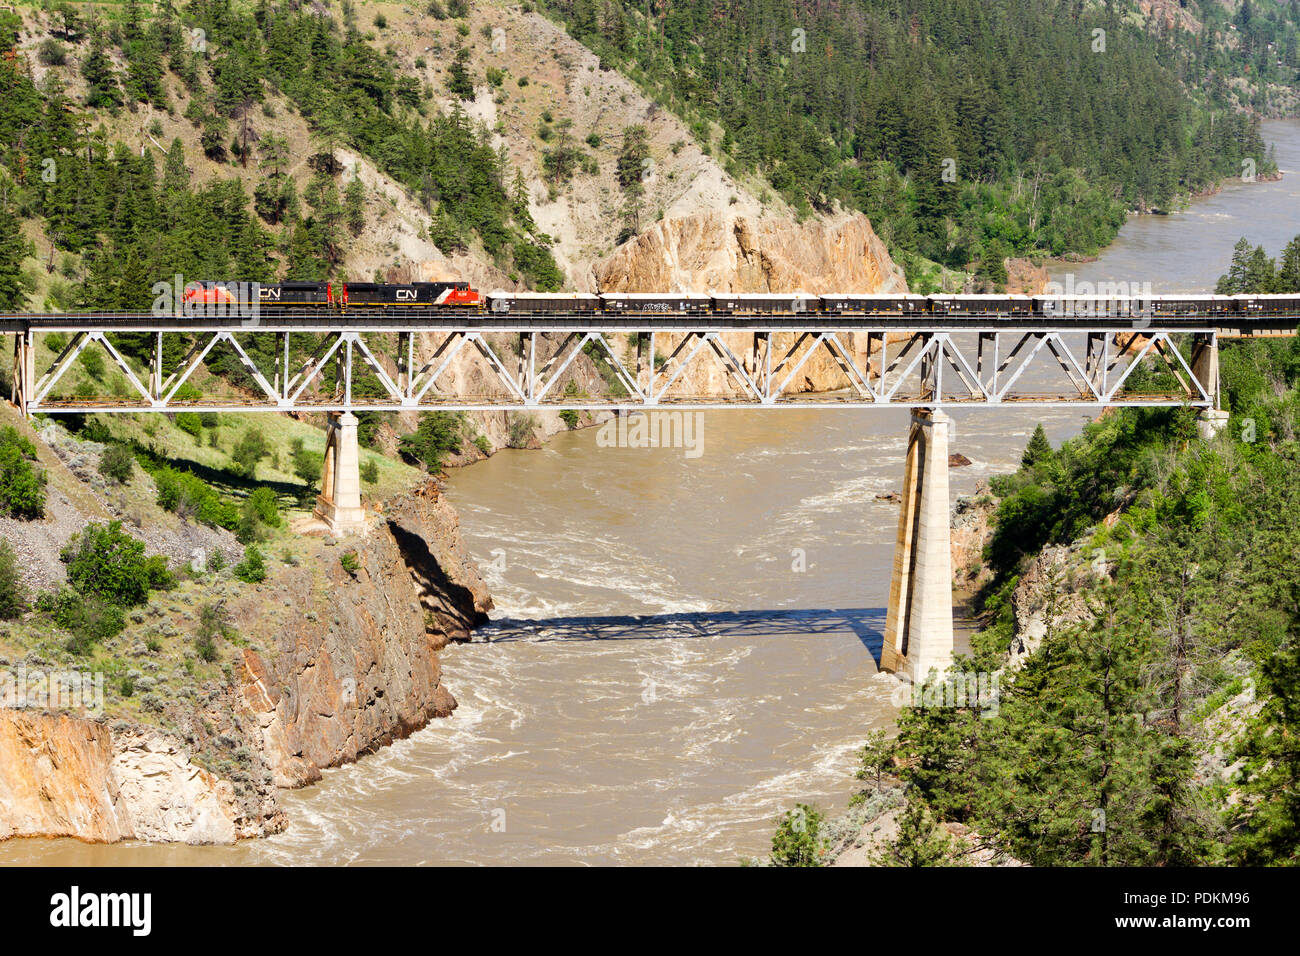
(660, 680)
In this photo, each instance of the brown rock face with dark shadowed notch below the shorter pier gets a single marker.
(363, 671)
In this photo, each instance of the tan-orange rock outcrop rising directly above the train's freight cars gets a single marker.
(713, 252)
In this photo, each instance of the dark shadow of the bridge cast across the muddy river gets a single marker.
(866, 624)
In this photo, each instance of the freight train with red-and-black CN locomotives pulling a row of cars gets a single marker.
(440, 297)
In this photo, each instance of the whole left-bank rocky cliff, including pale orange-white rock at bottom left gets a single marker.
(331, 665)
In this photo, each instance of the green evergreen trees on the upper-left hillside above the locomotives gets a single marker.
(132, 222)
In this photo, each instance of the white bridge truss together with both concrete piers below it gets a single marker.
(968, 364)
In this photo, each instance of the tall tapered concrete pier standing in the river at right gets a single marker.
(920, 617)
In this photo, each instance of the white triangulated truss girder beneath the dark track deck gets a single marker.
(881, 367)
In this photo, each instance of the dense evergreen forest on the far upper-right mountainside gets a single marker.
(968, 131)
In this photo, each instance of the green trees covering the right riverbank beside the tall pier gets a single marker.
(1106, 747)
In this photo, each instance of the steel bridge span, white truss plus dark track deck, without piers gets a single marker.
(886, 361)
